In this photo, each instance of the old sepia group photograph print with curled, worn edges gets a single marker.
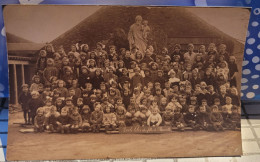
(113, 82)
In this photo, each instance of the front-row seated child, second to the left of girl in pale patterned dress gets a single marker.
(85, 114)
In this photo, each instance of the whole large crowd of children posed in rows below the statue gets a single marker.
(87, 89)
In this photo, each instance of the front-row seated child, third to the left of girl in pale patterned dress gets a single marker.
(76, 120)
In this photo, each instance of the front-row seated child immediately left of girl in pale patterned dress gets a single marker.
(96, 118)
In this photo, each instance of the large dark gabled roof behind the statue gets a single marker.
(170, 21)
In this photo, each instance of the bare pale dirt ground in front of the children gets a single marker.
(46, 146)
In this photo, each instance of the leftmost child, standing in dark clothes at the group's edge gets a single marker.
(23, 99)
